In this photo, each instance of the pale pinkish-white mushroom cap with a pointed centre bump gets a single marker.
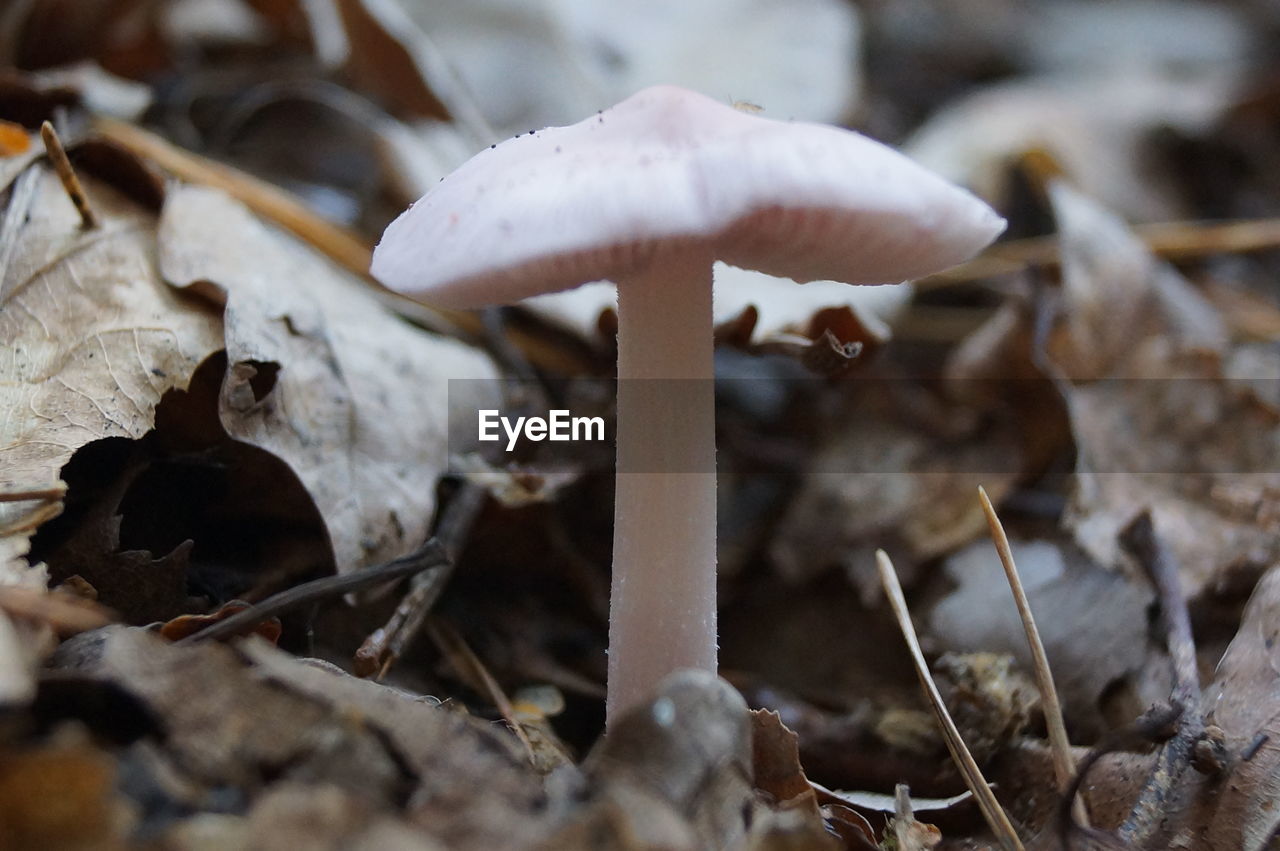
(665, 171)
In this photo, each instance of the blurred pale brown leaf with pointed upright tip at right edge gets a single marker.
(1155, 420)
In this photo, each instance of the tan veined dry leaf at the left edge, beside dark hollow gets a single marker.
(95, 337)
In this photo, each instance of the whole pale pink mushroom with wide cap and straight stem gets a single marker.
(648, 195)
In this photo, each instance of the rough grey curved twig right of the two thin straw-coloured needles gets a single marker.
(1140, 539)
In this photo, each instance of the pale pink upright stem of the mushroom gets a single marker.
(664, 607)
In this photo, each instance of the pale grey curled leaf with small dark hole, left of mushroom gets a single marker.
(355, 400)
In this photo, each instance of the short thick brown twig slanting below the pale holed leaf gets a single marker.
(386, 646)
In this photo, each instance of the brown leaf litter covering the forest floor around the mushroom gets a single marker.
(205, 401)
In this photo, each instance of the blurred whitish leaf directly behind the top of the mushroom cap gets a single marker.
(529, 67)
